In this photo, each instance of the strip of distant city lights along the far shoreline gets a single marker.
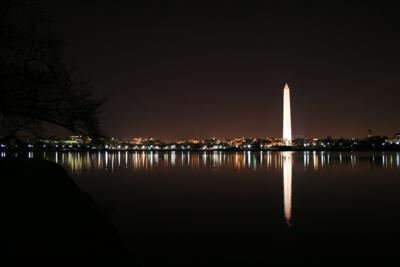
(237, 144)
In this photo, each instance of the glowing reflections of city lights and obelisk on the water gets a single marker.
(79, 163)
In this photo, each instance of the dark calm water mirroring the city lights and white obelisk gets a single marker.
(255, 208)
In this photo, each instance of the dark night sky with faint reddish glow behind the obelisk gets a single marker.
(196, 71)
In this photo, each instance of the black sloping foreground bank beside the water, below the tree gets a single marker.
(47, 219)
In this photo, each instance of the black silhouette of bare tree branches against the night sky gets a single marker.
(36, 86)
